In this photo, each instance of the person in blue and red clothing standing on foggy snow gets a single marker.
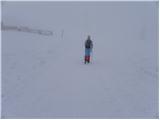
(88, 49)
